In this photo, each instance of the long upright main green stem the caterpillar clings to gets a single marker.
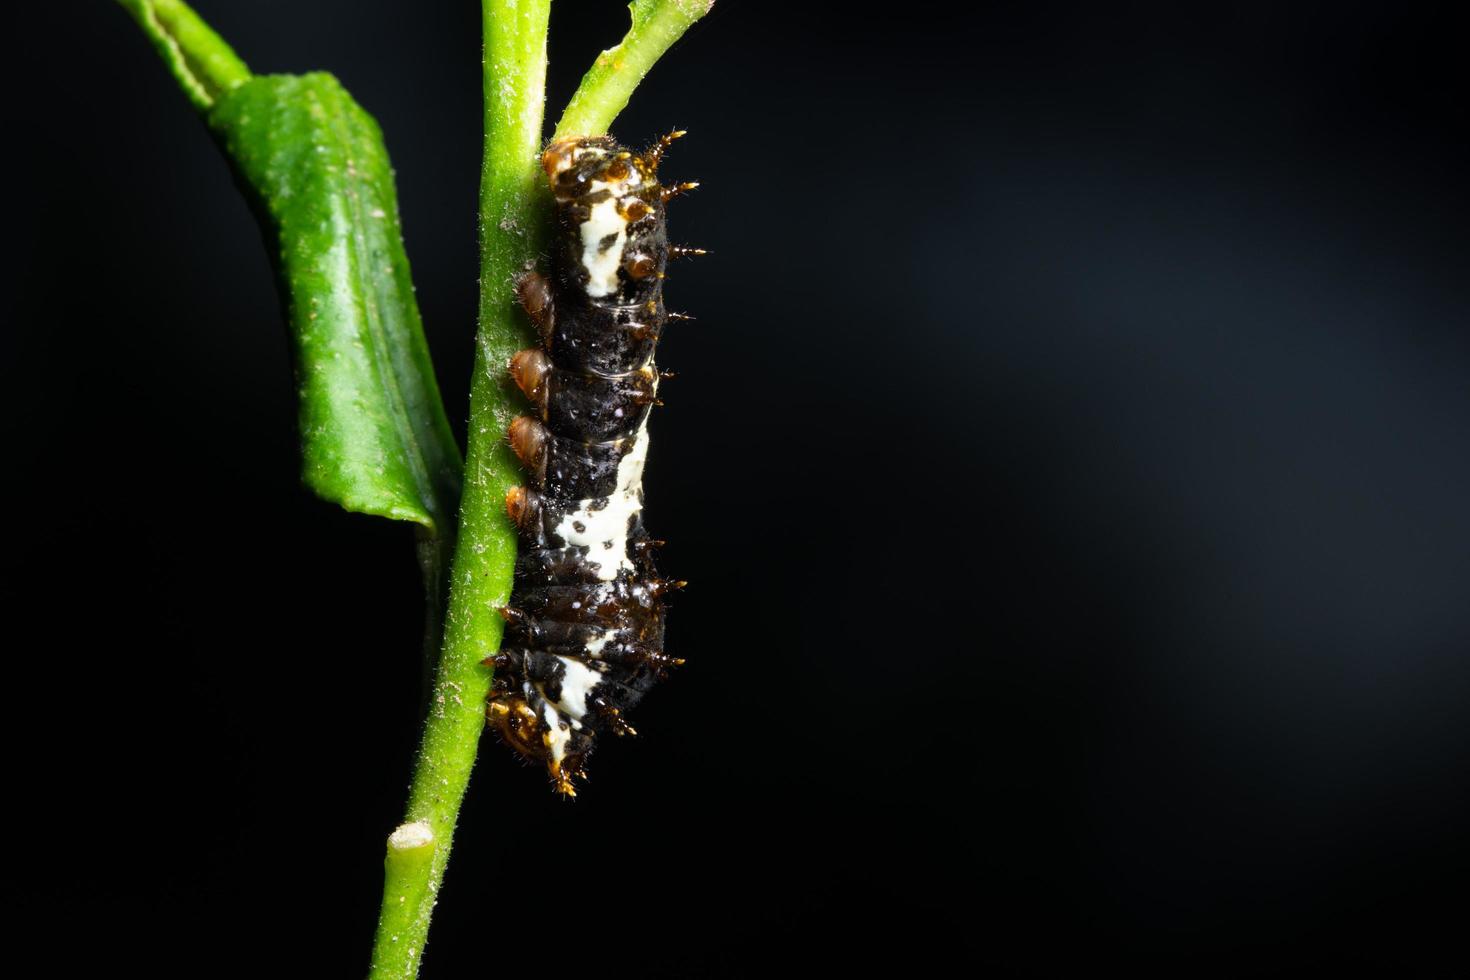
(484, 561)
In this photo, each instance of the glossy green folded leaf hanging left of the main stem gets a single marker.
(374, 433)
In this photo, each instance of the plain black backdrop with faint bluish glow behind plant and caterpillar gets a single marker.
(1071, 462)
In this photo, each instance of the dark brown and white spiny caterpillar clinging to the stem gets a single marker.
(584, 628)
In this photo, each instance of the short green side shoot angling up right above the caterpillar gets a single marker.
(608, 86)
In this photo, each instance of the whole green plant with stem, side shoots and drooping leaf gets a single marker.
(374, 433)
